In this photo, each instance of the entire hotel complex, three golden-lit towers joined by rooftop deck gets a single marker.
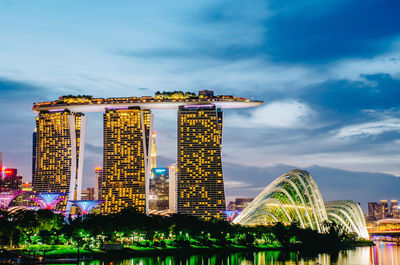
(128, 151)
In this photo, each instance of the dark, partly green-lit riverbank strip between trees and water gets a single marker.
(61, 254)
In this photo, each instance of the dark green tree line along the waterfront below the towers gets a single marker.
(133, 228)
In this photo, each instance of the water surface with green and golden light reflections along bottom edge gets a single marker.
(381, 254)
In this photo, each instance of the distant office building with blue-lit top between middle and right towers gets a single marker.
(159, 189)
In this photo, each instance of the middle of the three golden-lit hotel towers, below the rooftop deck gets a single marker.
(126, 164)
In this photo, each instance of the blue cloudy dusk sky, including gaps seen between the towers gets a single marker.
(327, 71)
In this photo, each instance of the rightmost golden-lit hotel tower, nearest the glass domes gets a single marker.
(200, 181)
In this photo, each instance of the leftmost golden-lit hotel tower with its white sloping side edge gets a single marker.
(59, 154)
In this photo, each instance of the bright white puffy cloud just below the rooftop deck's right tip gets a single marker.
(277, 114)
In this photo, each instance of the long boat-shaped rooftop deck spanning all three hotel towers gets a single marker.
(165, 100)
